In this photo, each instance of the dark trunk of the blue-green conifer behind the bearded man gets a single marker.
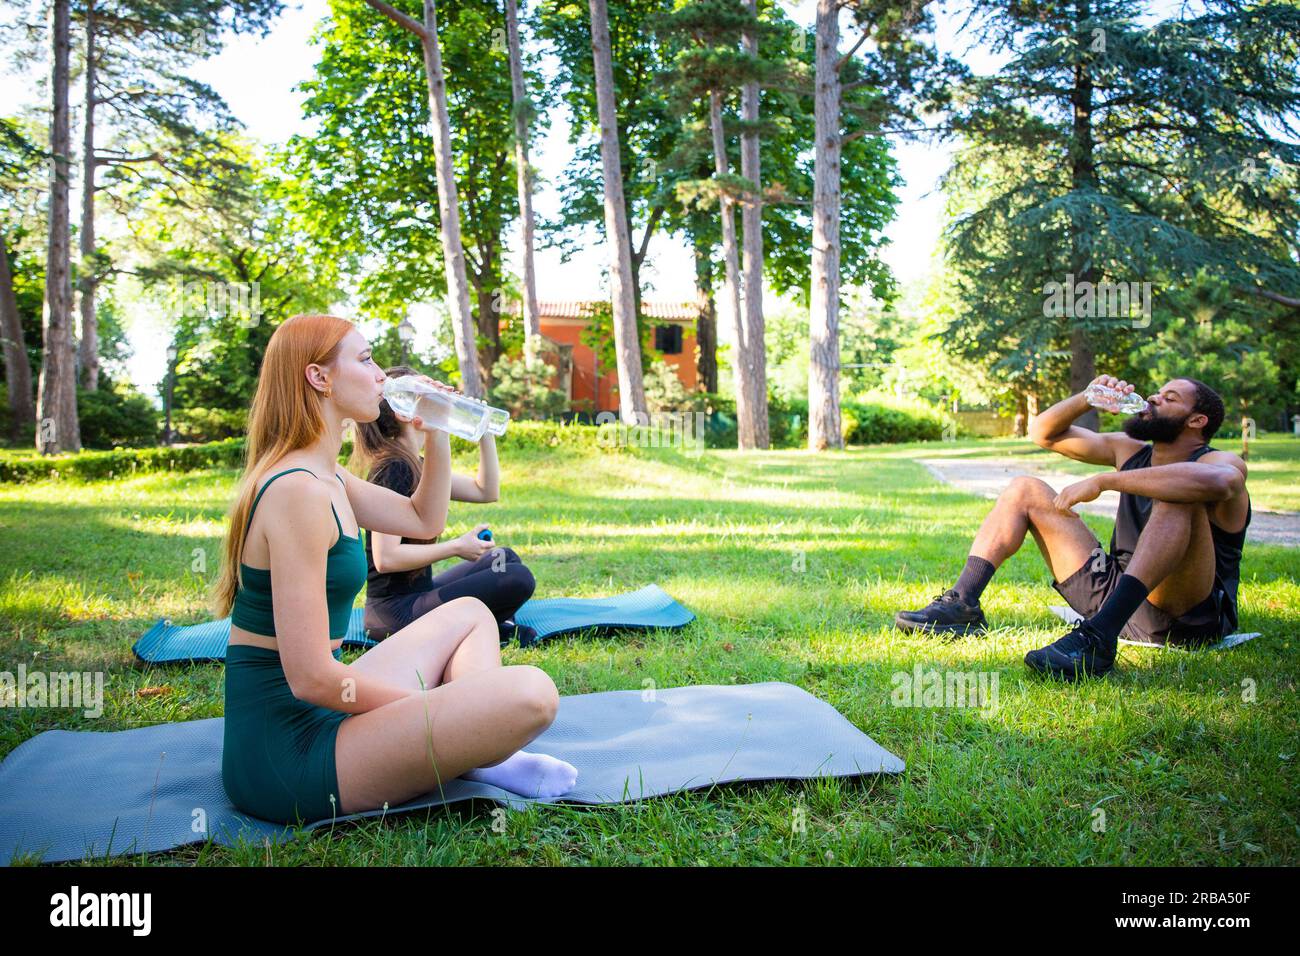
(1084, 367)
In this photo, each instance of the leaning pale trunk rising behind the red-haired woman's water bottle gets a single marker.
(449, 207)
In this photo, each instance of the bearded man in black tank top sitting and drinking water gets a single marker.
(1172, 573)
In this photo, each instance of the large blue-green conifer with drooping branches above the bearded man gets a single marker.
(1150, 154)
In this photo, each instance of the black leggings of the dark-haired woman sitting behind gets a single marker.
(502, 589)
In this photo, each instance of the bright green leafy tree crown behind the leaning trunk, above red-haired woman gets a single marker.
(366, 179)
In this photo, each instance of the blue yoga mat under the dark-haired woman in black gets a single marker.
(551, 617)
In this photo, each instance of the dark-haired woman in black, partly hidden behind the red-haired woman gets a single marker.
(401, 585)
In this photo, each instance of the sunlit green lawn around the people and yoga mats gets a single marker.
(1186, 771)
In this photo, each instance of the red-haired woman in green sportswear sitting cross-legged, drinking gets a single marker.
(307, 737)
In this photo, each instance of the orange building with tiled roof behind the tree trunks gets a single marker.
(580, 375)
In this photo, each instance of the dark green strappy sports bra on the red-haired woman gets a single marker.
(345, 574)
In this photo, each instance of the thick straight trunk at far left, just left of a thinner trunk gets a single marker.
(57, 399)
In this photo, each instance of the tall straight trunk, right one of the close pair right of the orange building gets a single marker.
(752, 220)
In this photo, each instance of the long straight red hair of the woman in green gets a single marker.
(285, 417)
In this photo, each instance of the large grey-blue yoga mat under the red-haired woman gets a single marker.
(67, 795)
